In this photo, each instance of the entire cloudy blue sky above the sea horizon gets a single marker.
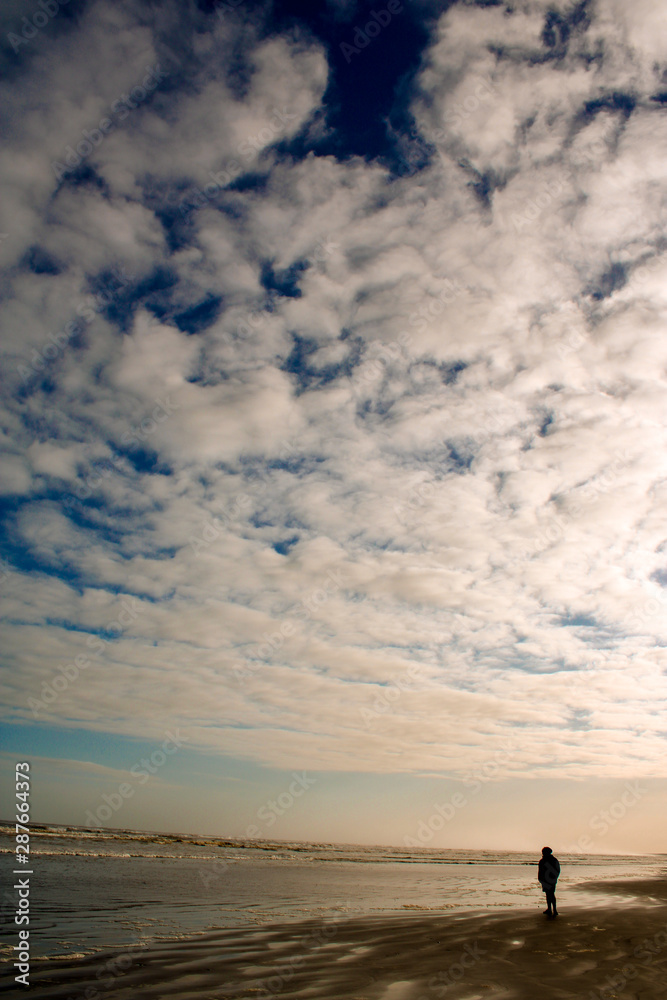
(333, 482)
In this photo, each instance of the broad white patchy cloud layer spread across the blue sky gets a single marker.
(528, 401)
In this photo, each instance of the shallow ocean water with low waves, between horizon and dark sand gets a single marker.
(92, 891)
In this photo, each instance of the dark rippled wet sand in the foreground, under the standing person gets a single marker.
(585, 953)
